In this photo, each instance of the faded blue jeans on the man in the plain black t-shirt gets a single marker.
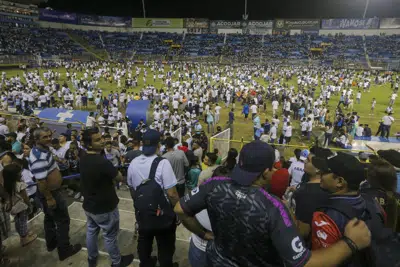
(109, 224)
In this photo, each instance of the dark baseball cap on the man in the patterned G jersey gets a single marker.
(254, 159)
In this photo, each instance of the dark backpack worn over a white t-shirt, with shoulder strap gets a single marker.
(152, 208)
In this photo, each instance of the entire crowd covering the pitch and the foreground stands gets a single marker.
(167, 177)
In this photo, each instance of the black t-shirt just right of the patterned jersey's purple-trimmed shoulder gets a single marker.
(307, 198)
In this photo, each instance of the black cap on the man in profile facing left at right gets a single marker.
(342, 164)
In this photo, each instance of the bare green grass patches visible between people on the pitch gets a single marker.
(244, 129)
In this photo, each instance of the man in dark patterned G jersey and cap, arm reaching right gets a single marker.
(252, 228)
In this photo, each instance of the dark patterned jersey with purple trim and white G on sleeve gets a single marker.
(251, 227)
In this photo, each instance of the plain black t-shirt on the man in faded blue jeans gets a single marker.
(97, 174)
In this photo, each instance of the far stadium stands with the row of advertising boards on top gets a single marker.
(187, 38)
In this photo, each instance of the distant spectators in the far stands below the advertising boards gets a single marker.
(35, 41)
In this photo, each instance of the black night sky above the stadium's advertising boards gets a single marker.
(232, 9)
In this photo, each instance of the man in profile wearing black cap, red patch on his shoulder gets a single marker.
(342, 175)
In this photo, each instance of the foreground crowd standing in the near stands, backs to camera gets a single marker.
(254, 208)
